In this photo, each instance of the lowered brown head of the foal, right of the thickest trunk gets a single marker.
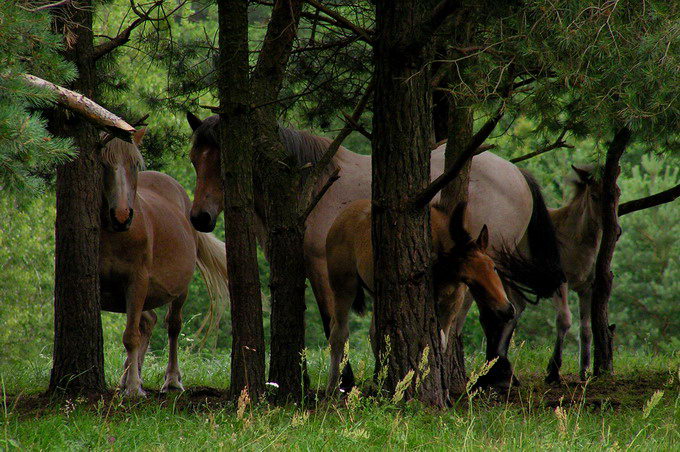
(467, 261)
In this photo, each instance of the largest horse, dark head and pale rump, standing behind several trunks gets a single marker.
(499, 196)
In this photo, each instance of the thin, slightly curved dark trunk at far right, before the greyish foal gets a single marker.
(603, 333)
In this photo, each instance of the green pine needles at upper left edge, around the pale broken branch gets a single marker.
(27, 150)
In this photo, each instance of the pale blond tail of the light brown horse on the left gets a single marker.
(212, 263)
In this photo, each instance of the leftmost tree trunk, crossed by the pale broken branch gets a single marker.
(78, 356)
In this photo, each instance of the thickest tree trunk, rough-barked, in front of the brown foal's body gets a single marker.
(404, 311)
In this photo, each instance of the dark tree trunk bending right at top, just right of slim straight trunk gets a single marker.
(279, 177)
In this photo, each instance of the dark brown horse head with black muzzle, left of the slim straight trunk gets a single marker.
(205, 157)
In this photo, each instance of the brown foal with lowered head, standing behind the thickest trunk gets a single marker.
(460, 260)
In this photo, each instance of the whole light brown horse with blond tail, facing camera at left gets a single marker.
(148, 252)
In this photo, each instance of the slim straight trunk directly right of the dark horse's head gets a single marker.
(247, 353)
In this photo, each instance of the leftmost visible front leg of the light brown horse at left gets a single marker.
(131, 382)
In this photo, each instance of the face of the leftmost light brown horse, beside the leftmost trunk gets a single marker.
(122, 162)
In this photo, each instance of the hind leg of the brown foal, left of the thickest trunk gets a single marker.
(339, 333)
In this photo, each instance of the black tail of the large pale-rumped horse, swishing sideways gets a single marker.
(541, 273)
